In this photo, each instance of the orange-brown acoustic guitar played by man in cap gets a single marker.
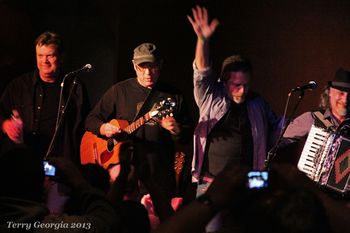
(105, 151)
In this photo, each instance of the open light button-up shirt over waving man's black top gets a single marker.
(213, 102)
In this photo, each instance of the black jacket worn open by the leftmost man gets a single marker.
(25, 94)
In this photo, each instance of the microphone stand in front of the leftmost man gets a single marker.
(61, 111)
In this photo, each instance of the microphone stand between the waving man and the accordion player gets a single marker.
(286, 121)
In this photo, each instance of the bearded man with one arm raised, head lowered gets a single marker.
(236, 125)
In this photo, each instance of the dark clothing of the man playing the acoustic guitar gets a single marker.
(122, 101)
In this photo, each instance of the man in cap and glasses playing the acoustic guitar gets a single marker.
(134, 97)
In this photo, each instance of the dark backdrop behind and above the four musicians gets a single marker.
(289, 42)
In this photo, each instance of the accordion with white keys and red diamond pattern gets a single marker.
(326, 159)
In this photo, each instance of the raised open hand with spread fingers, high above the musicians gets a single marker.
(200, 24)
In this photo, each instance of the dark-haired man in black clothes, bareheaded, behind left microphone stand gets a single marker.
(29, 105)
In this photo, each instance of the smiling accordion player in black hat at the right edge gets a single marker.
(334, 106)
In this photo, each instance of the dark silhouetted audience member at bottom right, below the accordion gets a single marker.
(288, 205)
